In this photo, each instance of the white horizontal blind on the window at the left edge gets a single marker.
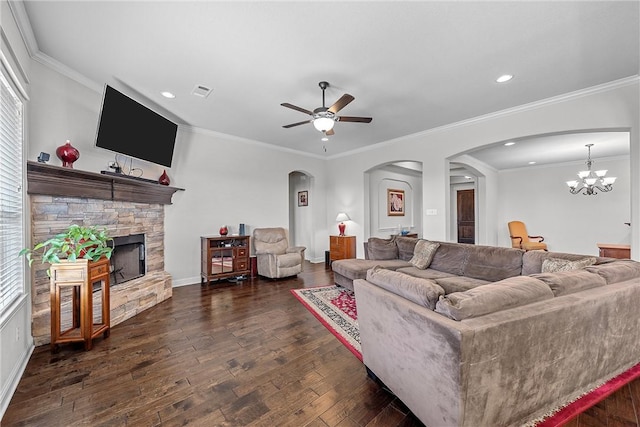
(11, 195)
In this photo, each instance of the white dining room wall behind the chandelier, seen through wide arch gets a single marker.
(539, 197)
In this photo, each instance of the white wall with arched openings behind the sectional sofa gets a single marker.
(613, 106)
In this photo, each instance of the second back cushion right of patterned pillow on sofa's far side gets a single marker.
(493, 263)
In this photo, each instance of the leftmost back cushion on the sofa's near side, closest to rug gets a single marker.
(421, 291)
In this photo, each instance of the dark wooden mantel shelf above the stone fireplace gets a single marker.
(58, 181)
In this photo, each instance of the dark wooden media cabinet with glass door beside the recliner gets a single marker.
(223, 257)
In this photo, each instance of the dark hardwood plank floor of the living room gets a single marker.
(230, 355)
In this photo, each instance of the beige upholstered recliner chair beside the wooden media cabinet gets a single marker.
(274, 256)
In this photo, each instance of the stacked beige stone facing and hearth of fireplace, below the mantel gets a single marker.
(51, 215)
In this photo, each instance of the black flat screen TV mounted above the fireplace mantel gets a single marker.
(128, 127)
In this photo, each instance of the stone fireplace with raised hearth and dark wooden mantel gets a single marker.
(52, 212)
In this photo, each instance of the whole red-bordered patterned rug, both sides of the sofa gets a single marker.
(335, 308)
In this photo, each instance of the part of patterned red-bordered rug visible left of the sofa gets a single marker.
(335, 308)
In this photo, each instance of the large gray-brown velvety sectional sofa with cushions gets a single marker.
(482, 336)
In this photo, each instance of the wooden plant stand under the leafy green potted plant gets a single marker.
(80, 278)
